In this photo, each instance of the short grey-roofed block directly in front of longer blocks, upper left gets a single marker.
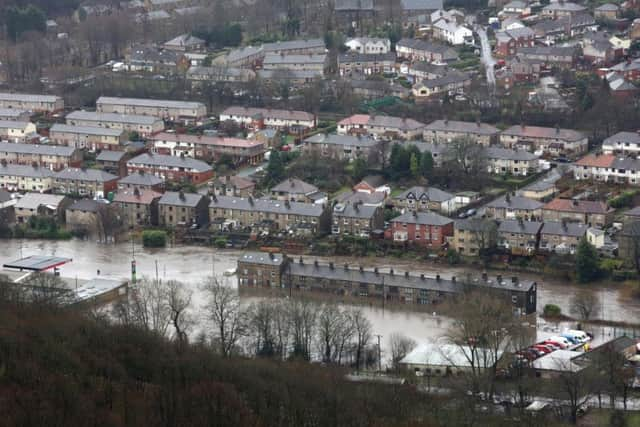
(89, 137)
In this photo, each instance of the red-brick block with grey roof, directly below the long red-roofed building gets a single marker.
(171, 168)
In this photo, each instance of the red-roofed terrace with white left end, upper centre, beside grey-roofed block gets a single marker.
(386, 127)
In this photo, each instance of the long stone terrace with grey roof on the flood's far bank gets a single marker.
(265, 214)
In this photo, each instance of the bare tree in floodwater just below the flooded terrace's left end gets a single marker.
(226, 314)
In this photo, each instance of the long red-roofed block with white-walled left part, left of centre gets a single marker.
(240, 151)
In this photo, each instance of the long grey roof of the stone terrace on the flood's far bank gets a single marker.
(266, 205)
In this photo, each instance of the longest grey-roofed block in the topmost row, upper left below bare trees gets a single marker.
(170, 110)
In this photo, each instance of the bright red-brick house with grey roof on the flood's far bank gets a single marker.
(426, 229)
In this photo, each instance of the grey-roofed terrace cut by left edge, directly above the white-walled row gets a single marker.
(54, 157)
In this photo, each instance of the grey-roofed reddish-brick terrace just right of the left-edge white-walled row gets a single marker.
(85, 182)
